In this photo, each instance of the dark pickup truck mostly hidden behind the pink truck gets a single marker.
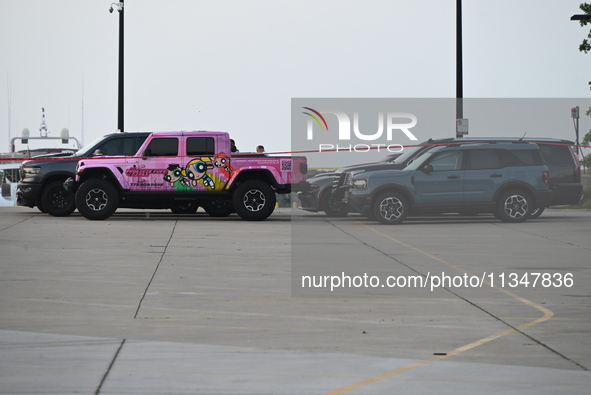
(41, 180)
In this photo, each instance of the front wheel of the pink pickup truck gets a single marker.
(97, 199)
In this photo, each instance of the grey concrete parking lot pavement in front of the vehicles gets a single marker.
(150, 302)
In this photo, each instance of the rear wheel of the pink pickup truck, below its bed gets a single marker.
(254, 200)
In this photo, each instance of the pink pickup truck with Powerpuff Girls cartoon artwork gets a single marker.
(183, 171)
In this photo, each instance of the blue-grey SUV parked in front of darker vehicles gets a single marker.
(508, 179)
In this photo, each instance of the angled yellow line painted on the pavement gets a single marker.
(547, 315)
